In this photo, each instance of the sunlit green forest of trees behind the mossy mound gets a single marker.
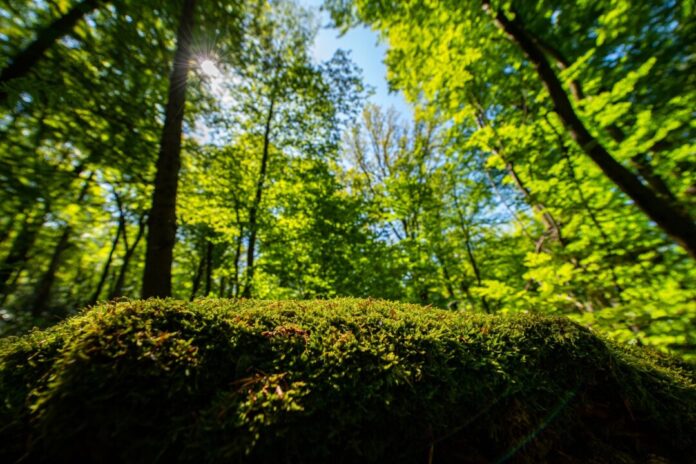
(197, 149)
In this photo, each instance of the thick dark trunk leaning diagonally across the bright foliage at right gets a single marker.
(670, 219)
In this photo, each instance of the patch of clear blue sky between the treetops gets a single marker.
(366, 53)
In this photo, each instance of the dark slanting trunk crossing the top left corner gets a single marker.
(24, 61)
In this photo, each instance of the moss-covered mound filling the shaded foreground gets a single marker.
(340, 381)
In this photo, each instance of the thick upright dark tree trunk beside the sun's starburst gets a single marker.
(161, 235)
